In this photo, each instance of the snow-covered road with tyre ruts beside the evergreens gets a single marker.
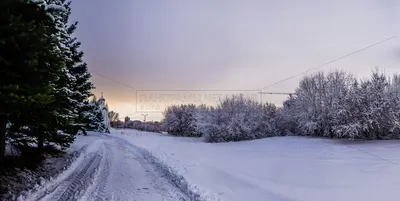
(109, 169)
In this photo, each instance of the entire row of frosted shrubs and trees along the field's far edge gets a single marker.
(334, 104)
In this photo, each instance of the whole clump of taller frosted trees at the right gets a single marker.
(337, 105)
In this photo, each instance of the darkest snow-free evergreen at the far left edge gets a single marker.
(30, 66)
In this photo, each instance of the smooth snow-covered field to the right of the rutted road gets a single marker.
(276, 169)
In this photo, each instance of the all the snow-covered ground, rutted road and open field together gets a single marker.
(135, 165)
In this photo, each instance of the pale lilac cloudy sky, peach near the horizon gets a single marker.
(228, 44)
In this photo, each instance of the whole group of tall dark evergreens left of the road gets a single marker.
(45, 84)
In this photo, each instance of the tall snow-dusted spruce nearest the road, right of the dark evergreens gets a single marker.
(74, 86)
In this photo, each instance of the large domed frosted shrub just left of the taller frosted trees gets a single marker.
(237, 118)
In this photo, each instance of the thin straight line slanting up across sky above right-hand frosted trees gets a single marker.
(329, 62)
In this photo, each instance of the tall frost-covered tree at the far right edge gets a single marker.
(367, 110)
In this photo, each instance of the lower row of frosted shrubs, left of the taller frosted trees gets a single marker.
(235, 118)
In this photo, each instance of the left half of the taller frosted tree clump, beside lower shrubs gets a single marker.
(314, 108)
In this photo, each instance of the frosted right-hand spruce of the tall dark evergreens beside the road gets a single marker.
(75, 86)
